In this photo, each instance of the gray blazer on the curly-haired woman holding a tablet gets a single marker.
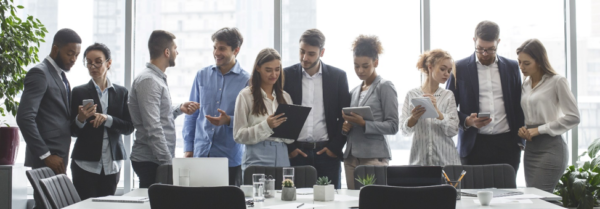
(369, 141)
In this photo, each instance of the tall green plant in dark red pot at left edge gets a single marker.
(19, 43)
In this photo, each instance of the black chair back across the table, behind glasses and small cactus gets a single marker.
(304, 176)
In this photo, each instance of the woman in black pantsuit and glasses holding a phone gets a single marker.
(98, 152)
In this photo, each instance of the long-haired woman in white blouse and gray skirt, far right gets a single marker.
(550, 110)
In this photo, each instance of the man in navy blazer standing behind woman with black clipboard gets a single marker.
(324, 88)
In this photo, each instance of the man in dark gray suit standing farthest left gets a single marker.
(43, 114)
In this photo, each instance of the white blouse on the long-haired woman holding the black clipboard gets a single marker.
(249, 128)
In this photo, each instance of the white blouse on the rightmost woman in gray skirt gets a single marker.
(550, 104)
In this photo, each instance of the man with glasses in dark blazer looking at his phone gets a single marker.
(487, 89)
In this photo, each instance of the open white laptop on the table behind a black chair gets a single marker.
(202, 172)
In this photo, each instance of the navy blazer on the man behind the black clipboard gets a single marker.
(335, 97)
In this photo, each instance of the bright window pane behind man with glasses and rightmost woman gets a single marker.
(453, 27)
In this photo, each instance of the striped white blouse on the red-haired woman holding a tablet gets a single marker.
(432, 141)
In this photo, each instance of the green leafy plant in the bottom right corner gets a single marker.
(579, 187)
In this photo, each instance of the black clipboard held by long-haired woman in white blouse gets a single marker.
(296, 116)
